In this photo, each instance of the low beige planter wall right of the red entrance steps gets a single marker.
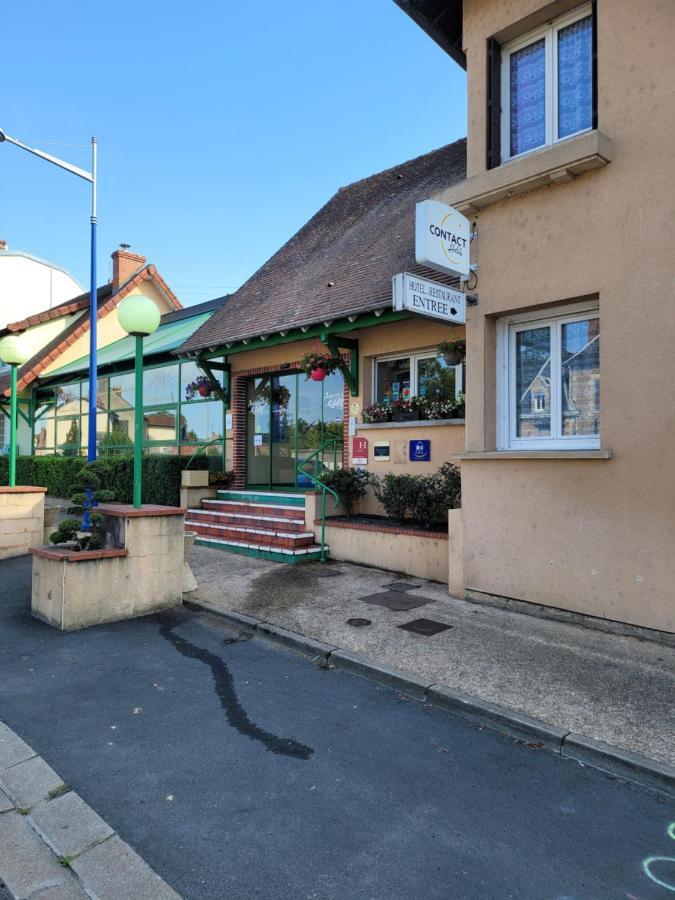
(423, 554)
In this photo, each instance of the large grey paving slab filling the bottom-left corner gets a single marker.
(27, 865)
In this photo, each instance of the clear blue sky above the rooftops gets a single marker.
(223, 125)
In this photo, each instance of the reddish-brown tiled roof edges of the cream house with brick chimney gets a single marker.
(106, 302)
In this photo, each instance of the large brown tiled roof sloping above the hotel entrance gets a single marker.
(342, 261)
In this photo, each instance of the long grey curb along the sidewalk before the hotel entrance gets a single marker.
(641, 770)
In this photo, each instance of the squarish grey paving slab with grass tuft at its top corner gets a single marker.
(68, 825)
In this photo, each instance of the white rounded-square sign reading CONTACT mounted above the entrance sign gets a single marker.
(442, 238)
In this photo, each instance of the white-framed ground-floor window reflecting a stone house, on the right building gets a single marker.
(549, 380)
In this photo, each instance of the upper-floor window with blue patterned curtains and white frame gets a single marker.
(547, 84)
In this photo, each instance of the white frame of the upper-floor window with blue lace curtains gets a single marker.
(550, 34)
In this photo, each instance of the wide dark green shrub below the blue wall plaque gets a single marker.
(423, 499)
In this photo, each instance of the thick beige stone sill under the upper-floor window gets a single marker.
(555, 164)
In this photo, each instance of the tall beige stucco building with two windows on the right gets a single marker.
(574, 233)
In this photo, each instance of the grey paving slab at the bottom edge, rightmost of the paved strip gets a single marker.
(113, 871)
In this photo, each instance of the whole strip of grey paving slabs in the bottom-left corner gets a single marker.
(31, 841)
